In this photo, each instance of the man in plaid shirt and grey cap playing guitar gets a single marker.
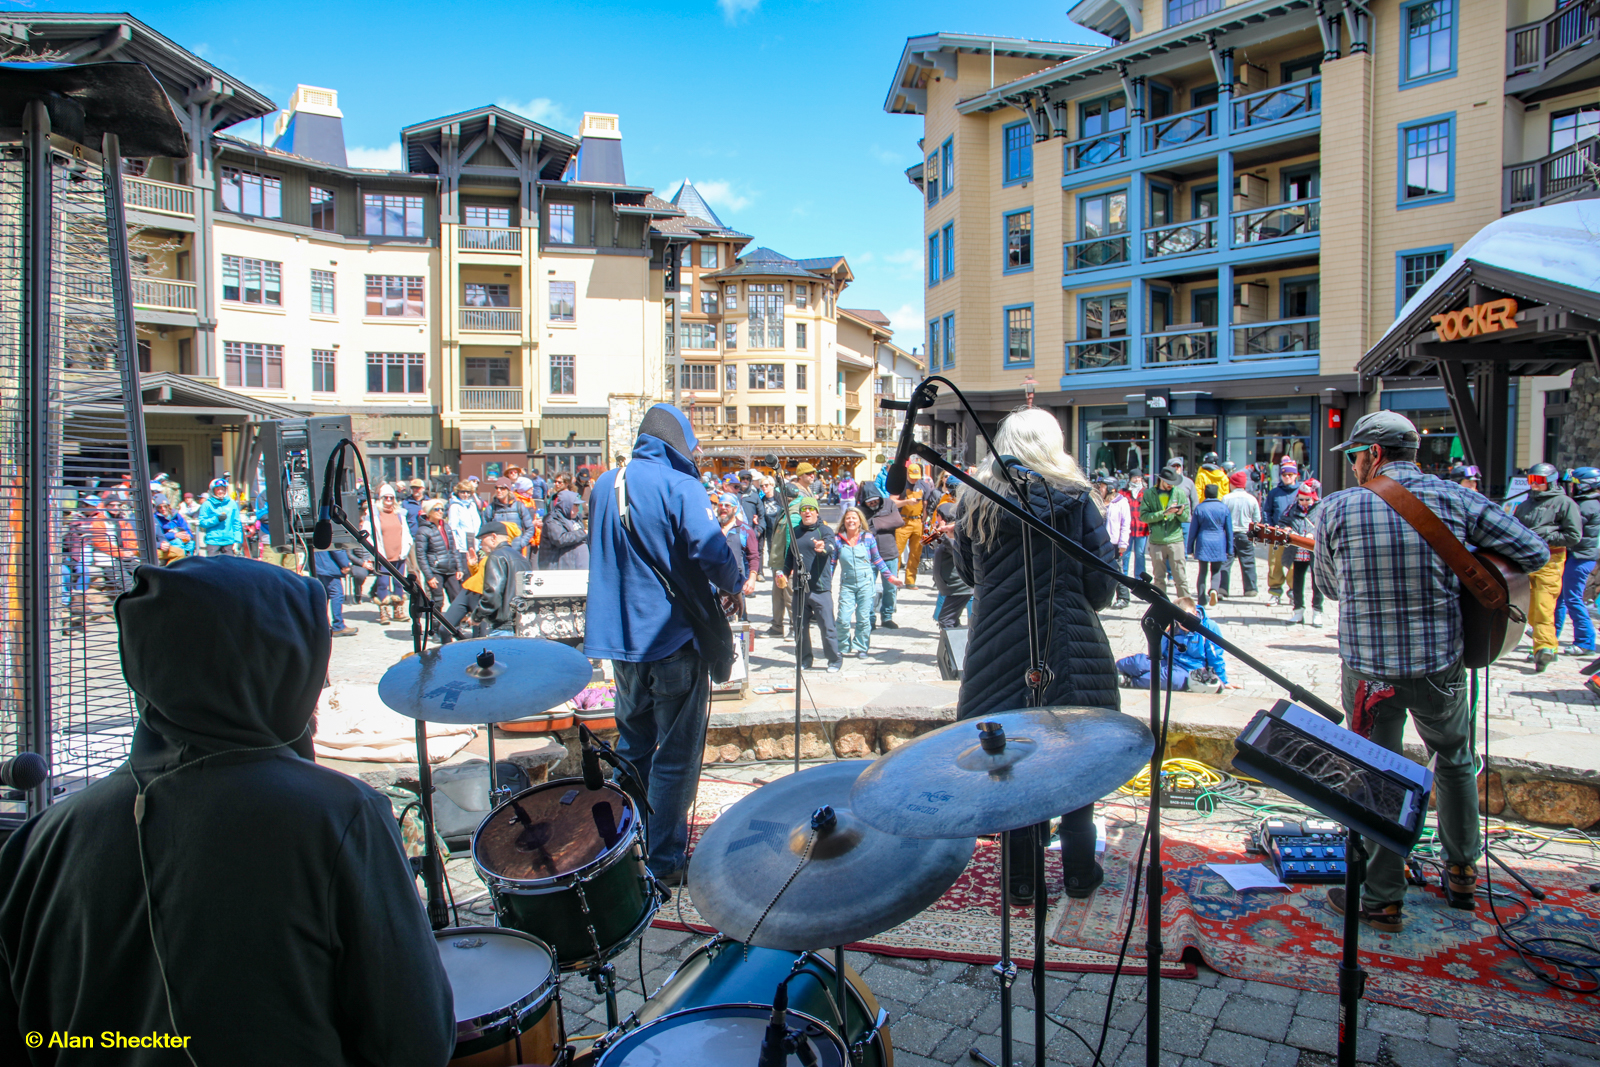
(1401, 629)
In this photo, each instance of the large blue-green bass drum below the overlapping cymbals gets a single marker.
(718, 978)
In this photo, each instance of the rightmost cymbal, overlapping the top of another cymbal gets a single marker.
(1046, 762)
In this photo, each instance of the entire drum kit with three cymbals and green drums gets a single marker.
(814, 861)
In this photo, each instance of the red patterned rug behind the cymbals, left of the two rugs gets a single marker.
(964, 925)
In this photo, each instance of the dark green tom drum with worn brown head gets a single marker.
(567, 865)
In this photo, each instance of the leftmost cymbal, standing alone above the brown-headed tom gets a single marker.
(487, 681)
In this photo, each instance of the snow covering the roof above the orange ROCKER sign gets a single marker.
(1558, 244)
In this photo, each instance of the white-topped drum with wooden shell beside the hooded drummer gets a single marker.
(508, 1001)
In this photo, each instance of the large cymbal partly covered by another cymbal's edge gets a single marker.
(858, 882)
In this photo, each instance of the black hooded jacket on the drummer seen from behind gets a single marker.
(286, 913)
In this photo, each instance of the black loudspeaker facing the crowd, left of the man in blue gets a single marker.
(294, 460)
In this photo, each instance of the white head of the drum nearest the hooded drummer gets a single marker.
(492, 972)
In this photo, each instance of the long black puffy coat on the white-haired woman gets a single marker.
(1079, 655)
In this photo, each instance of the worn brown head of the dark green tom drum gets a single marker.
(553, 829)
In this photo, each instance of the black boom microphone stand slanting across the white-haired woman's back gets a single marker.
(1161, 615)
